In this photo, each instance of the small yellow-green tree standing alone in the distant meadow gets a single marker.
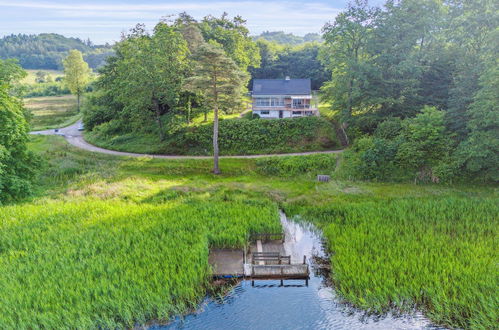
(77, 74)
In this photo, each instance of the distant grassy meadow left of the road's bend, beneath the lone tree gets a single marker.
(52, 111)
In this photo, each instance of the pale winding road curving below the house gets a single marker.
(75, 138)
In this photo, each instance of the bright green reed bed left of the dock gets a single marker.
(94, 264)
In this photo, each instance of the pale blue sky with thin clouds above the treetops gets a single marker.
(103, 21)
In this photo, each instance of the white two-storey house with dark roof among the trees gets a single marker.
(283, 98)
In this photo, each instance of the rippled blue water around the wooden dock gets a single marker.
(294, 306)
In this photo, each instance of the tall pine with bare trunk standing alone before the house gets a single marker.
(220, 81)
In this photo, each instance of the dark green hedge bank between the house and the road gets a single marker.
(237, 136)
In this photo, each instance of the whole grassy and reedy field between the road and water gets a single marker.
(394, 246)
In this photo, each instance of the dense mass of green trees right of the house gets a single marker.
(415, 84)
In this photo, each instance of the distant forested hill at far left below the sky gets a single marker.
(46, 50)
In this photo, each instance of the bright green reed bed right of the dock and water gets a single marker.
(439, 255)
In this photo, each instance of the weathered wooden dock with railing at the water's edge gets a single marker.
(264, 259)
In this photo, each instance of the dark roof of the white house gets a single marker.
(282, 87)
